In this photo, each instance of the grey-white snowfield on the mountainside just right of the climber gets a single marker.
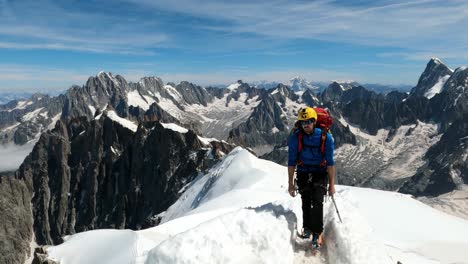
(393, 158)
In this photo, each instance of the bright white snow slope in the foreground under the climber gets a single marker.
(240, 212)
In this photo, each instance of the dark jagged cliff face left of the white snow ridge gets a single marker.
(85, 175)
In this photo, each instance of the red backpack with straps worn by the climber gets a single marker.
(324, 122)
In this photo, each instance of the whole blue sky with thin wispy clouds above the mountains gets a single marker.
(50, 45)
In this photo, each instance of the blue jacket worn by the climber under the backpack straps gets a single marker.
(310, 154)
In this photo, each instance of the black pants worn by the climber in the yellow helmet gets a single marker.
(312, 187)
